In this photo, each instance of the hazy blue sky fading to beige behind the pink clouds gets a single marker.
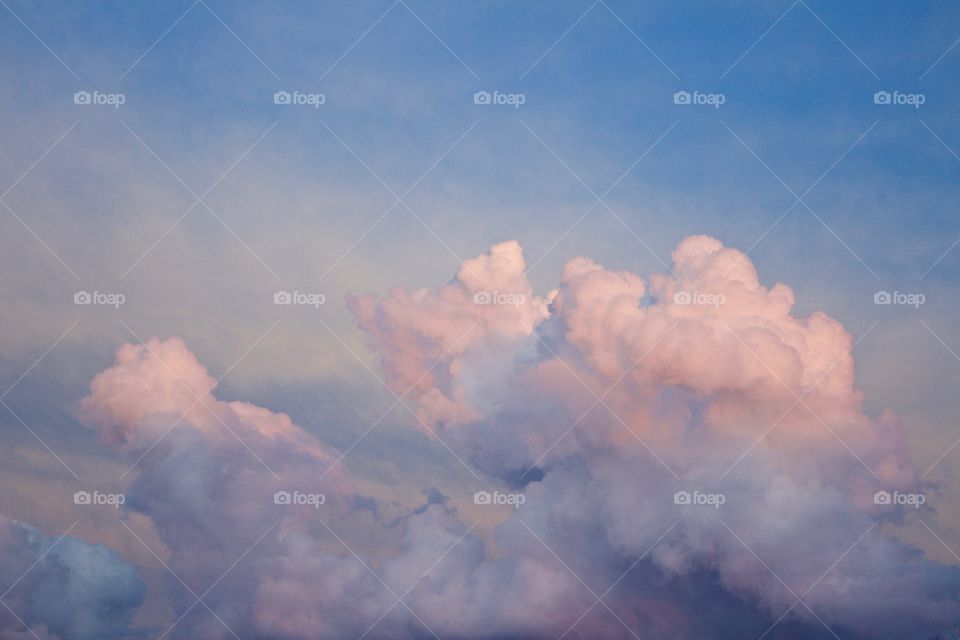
(826, 191)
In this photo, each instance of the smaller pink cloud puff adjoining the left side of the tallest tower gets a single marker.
(488, 307)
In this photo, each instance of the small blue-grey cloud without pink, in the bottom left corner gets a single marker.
(64, 589)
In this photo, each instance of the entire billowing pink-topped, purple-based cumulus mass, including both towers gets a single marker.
(599, 401)
